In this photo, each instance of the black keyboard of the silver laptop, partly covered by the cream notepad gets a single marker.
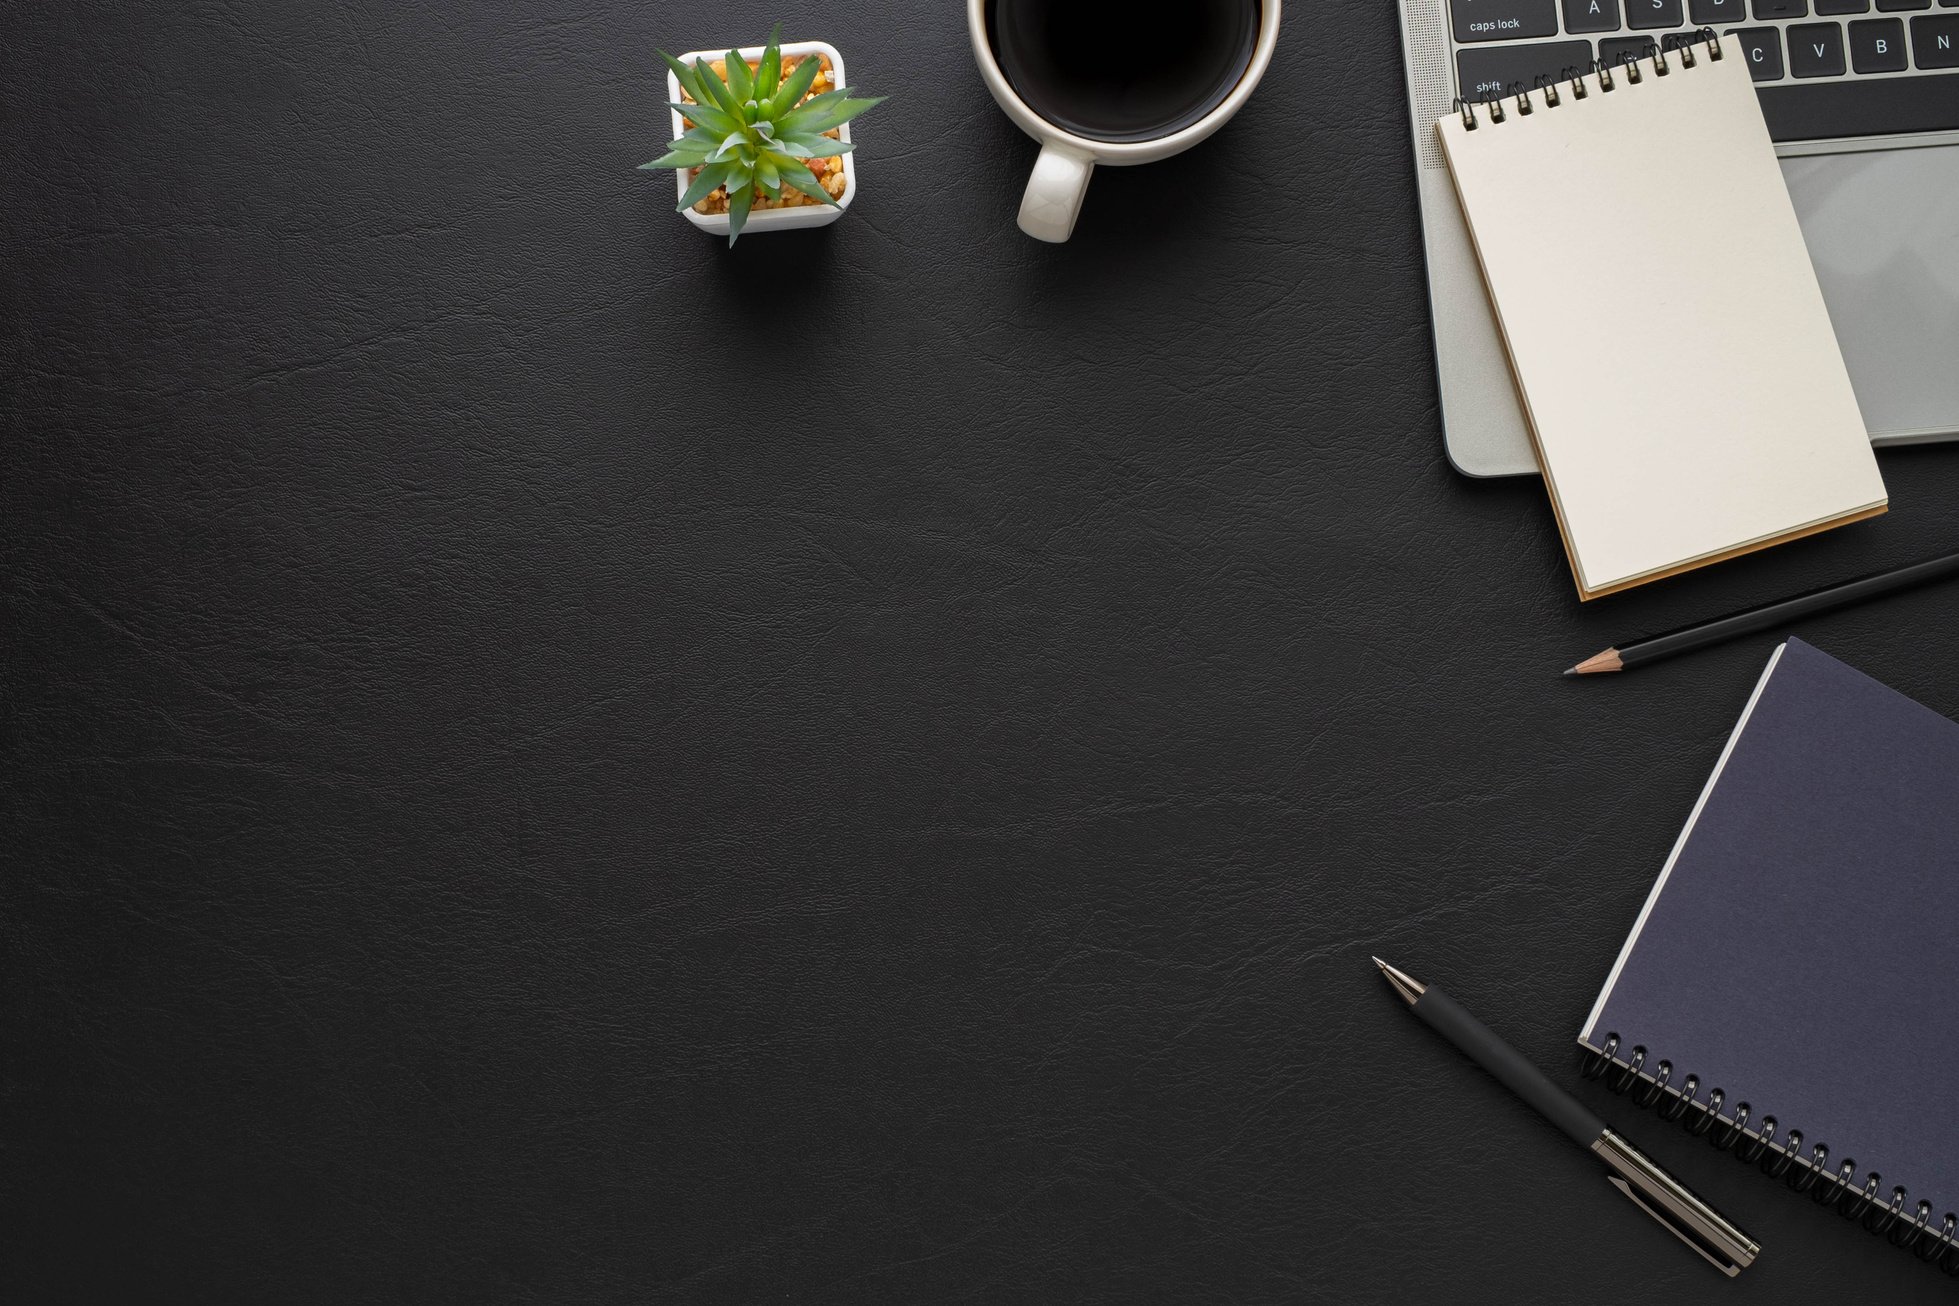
(1823, 68)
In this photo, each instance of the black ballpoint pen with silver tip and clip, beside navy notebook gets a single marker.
(1650, 1188)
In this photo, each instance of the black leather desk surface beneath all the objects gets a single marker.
(555, 763)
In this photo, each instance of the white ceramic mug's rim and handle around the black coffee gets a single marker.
(1061, 177)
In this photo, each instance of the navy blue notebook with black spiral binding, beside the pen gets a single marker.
(1793, 980)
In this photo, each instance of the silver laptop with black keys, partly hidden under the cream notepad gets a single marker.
(1862, 99)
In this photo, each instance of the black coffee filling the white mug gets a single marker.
(1123, 70)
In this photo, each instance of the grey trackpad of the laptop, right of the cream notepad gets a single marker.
(1884, 232)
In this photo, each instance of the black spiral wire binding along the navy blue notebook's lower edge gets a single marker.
(1780, 1158)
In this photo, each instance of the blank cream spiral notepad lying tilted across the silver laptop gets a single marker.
(1672, 350)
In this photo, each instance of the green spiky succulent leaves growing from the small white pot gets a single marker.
(753, 130)
